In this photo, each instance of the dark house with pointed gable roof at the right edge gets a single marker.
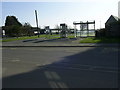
(112, 26)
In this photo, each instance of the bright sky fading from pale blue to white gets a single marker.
(55, 12)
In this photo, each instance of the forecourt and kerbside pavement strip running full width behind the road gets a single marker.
(55, 43)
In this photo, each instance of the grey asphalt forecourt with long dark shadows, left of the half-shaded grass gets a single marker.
(40, 42)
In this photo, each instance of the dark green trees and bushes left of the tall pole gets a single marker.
(13, 28)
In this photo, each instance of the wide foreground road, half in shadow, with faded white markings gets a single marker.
(60, 67)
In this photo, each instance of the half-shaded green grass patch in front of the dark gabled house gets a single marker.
(100, 40)
